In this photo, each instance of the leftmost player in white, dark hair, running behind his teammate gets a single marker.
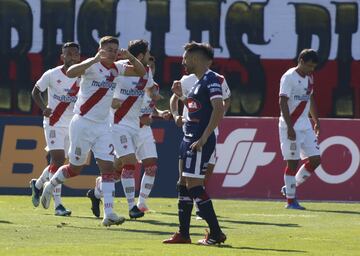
(58, 111)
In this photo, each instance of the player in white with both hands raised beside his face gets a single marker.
(90, 128)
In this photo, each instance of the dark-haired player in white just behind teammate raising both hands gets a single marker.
(126, 123)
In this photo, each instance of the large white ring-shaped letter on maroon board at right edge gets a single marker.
(354, 165)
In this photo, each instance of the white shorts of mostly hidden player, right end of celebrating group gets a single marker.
(145, 144)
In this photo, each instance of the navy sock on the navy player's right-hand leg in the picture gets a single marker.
(206, 208)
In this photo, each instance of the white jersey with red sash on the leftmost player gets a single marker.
(62, 92)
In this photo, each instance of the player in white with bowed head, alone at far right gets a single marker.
(298, 140)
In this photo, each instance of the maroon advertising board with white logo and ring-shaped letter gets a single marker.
(250, 164)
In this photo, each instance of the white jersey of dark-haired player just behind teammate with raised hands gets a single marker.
(130, 91)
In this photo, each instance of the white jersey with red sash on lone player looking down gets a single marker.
(298, 90)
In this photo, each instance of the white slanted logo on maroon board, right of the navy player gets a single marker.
(239, 156)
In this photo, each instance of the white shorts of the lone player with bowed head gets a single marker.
(305, 145)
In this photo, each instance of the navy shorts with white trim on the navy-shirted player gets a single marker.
(196, 162)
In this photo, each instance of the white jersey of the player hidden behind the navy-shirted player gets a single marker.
(188, 81)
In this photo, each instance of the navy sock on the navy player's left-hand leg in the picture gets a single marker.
(185, 206)
